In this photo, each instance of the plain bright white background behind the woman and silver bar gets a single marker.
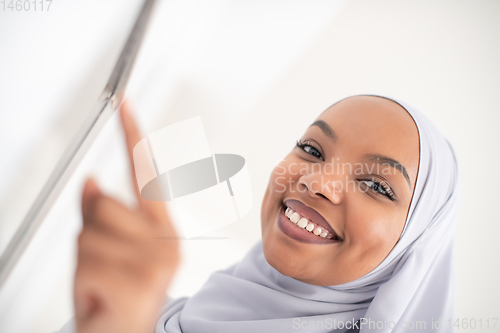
(258, 73)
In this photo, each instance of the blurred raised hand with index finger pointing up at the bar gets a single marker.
(123, 267)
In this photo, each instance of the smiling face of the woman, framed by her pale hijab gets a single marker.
(350, 181)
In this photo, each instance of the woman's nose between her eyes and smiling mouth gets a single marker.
(319, 185)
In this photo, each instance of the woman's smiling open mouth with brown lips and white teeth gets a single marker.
(305, 224)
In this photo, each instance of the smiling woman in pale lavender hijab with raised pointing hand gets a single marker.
(357, 233)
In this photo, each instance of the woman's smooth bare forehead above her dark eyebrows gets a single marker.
(374, 125)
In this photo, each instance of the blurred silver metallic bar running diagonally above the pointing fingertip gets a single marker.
(109, 101)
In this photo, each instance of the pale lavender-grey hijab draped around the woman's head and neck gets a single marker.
(411, 289)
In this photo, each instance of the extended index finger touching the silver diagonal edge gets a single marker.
(155, 209)
